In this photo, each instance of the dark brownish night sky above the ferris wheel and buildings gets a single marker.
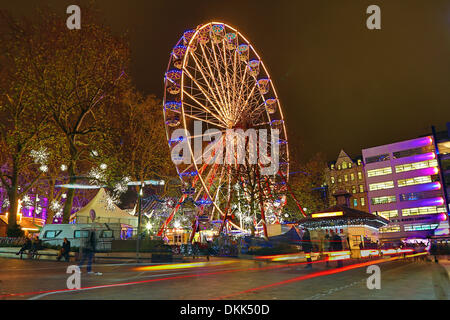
(340, 84)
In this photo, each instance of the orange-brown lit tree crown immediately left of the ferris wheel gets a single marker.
(139, 138)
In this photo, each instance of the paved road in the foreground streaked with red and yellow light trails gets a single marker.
(223, 278)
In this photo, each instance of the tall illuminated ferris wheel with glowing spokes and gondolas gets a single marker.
(216, 81)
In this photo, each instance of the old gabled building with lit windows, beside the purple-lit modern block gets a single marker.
(346, 175)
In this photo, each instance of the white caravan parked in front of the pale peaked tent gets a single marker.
(54, 234)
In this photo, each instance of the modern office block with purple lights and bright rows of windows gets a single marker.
(404, 186)
